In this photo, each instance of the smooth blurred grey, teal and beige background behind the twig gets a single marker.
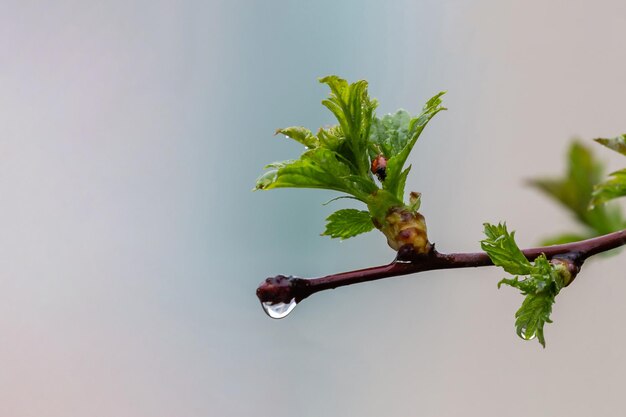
(131, 134)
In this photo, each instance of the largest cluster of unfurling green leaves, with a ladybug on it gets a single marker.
(340, 157)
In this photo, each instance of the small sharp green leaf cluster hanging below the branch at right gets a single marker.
(541, 280)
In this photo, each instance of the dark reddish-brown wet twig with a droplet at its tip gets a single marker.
(283, 289)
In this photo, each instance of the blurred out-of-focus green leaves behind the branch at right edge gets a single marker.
(574, 193)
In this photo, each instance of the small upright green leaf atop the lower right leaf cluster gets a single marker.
(503, 251)
